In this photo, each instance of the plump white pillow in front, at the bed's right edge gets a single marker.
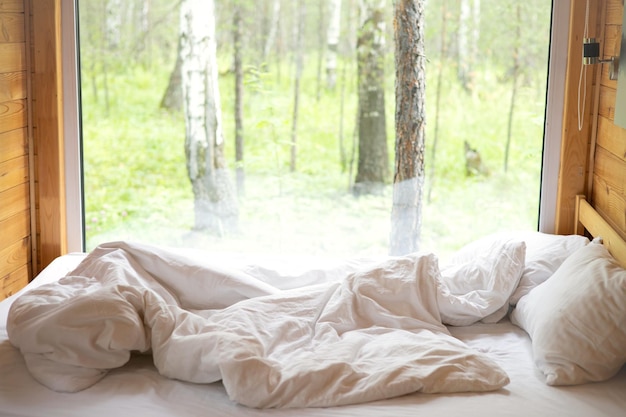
(577, 319)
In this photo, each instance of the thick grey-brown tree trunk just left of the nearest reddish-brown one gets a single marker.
(373, 164)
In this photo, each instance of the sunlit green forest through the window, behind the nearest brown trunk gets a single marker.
(288, 156)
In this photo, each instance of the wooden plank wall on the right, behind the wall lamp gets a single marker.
(607, 182)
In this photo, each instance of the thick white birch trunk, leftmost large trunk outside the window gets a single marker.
(215, 205)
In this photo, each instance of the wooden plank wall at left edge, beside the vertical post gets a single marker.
(15, 215)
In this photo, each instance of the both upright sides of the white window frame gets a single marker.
(72, 128)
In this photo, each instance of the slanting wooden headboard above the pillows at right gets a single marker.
(587, 218)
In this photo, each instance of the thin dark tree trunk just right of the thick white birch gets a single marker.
(239, 148)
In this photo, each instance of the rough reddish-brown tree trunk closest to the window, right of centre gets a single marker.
(406, 213)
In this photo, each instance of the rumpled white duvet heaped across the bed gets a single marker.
(366, 331)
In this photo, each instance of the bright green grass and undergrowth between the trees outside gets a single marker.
(136, 184)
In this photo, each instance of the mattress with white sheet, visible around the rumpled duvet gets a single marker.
(138, 389)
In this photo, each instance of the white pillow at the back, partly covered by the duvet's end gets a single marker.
(544, 254)
